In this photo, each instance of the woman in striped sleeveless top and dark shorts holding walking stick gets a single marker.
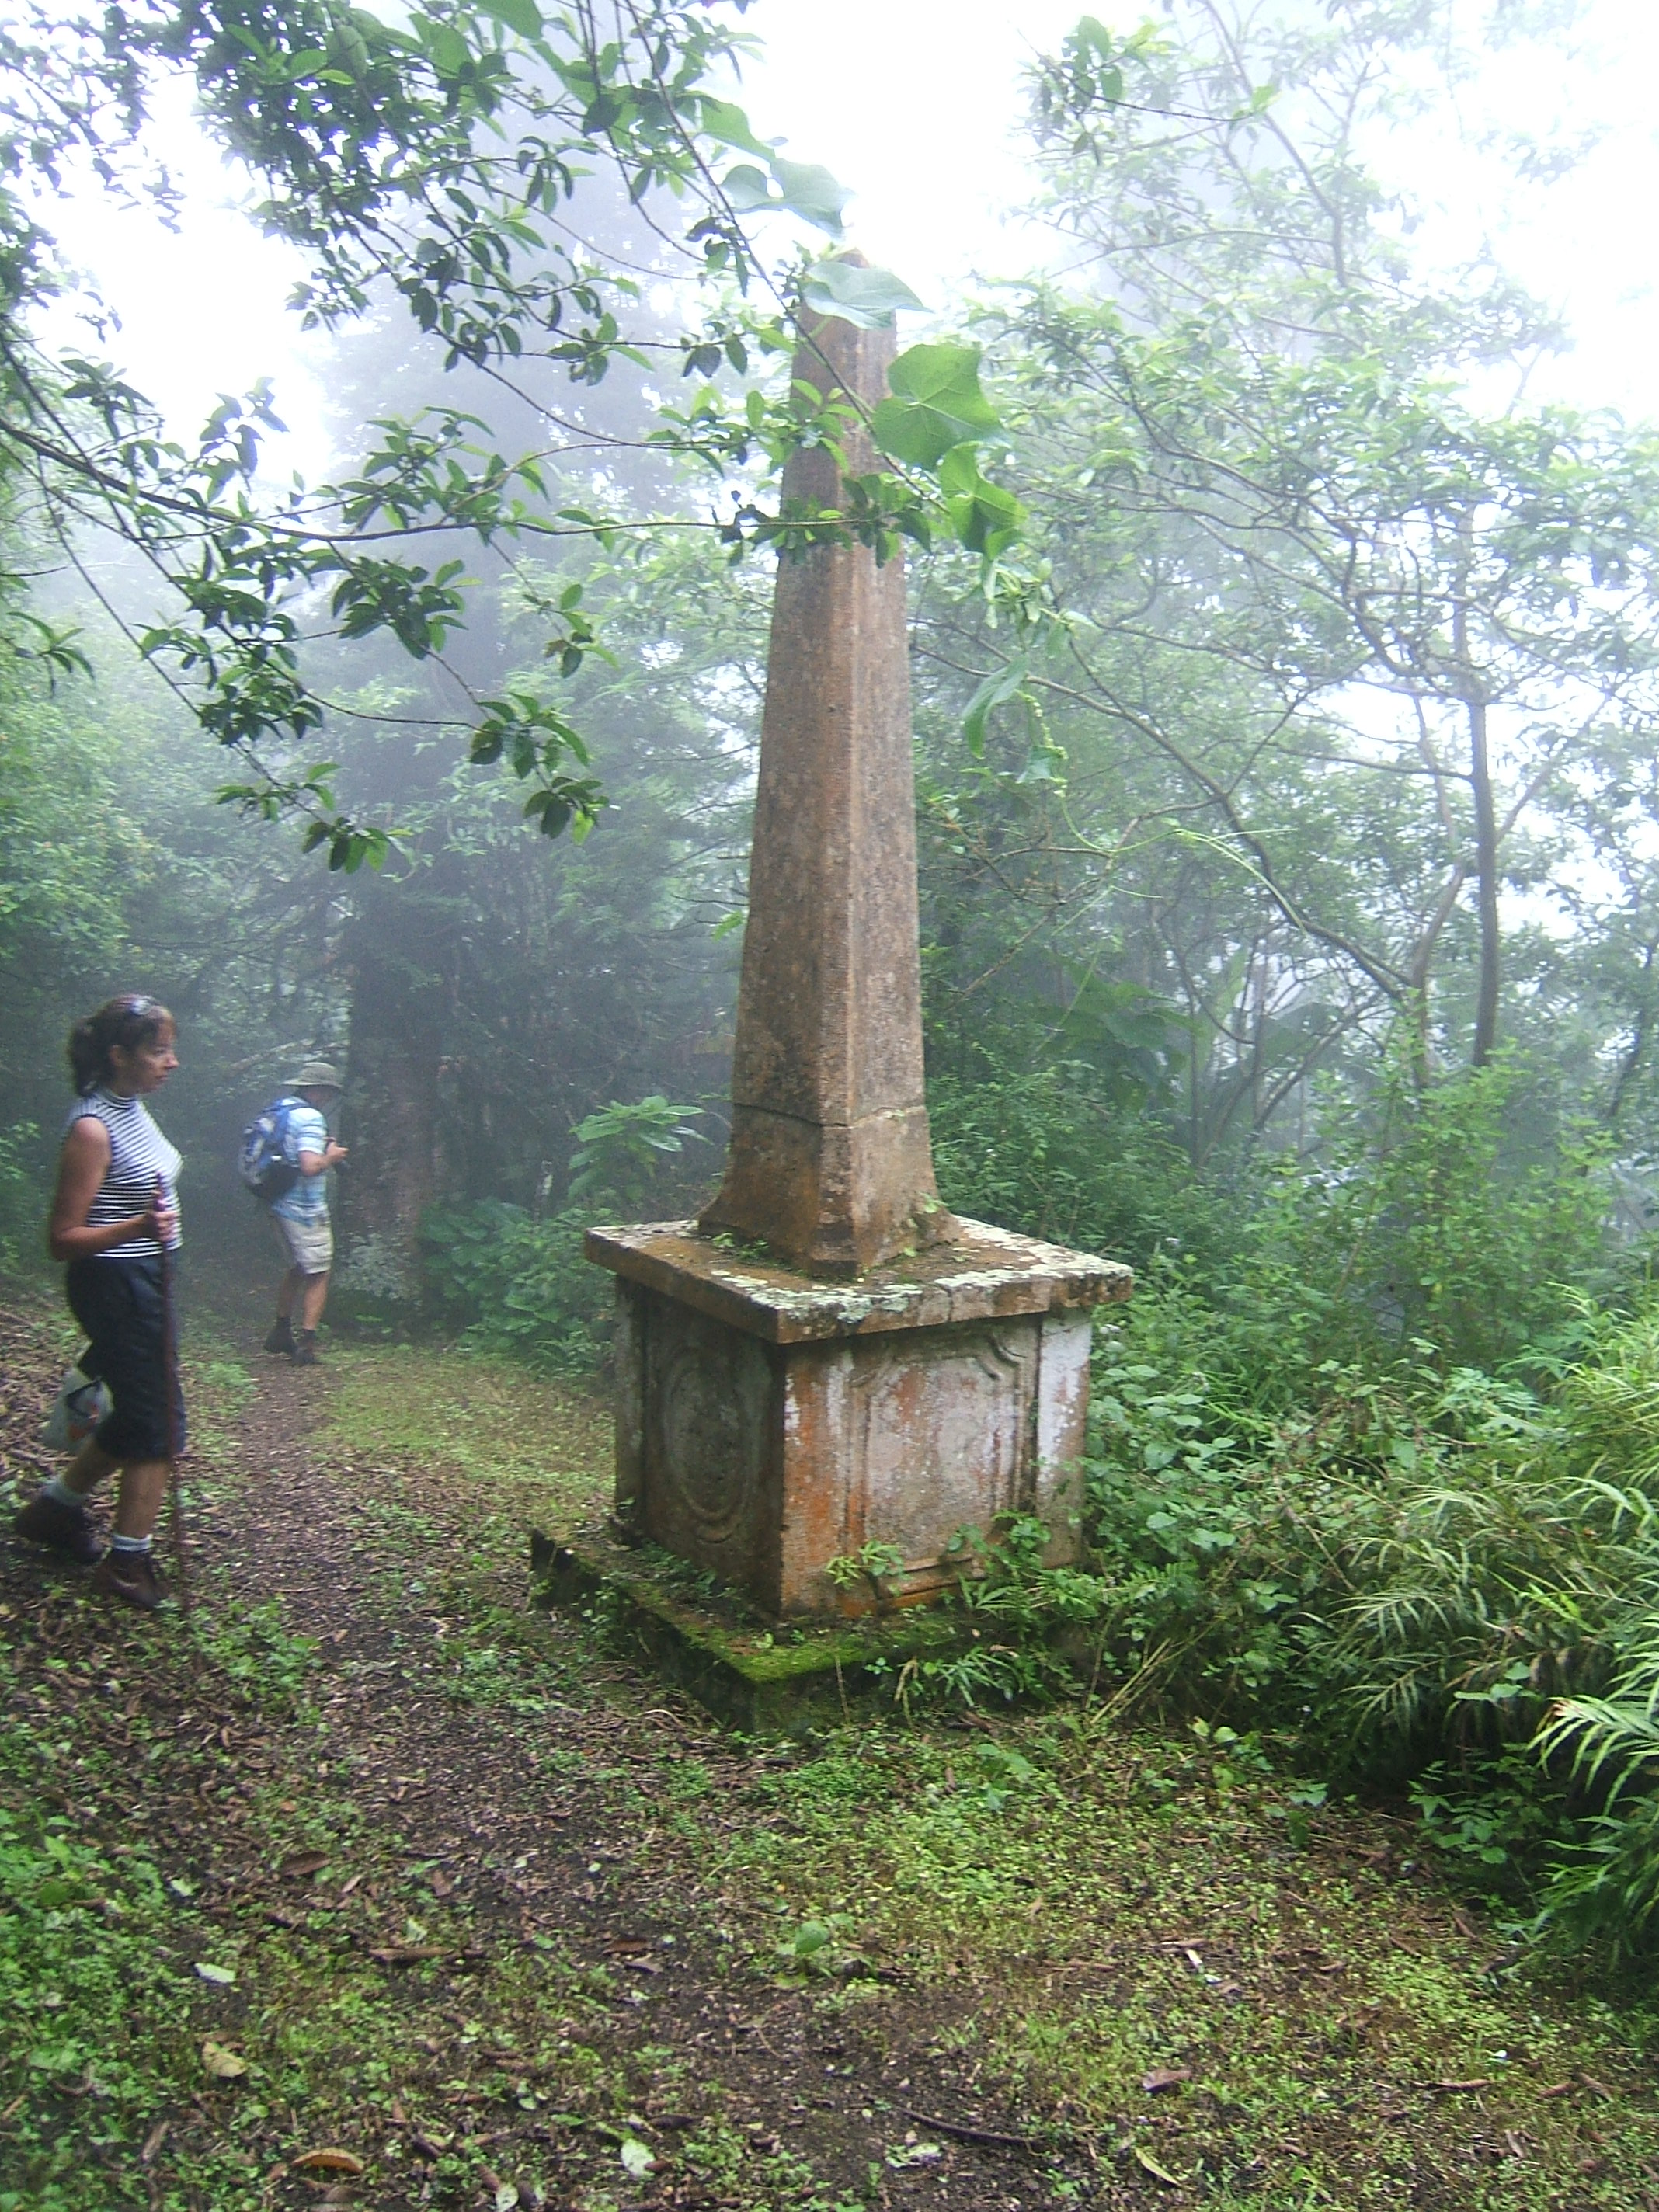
(112, 1220)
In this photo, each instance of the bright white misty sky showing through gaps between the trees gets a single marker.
(917, 107)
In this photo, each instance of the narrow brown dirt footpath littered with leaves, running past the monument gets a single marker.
(556, 1830)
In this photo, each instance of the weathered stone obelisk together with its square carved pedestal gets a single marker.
(828, 1368)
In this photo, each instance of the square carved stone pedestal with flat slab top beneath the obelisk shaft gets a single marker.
(824, 1446)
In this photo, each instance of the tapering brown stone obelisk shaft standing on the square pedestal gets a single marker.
(831, 1165)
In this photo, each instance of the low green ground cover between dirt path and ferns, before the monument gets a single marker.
(1165, 1948)
